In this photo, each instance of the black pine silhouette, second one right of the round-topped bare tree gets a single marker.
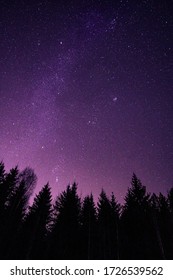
(65, 234)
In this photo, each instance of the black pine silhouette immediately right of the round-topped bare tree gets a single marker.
(36, 225)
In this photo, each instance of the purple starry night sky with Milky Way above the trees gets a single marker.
(86, 92)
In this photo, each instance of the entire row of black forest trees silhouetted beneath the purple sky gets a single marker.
(75, 228)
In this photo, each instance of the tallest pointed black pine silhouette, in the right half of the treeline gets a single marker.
(136, 222)
